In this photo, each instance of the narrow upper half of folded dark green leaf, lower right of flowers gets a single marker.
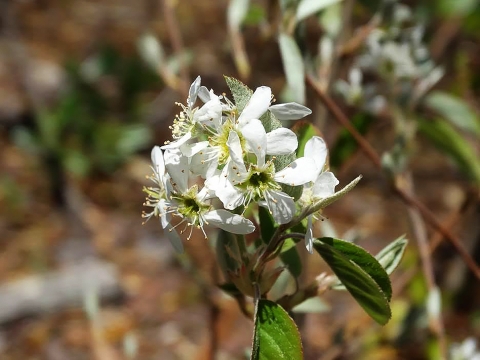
(363, 259)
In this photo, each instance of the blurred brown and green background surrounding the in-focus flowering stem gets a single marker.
(88, 87)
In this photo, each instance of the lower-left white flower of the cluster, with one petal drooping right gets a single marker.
(192, 205)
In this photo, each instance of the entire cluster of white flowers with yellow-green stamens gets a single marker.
(222, 159)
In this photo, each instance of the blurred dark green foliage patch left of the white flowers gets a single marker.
(80, 132)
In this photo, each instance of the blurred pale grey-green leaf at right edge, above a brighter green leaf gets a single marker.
(455, 110)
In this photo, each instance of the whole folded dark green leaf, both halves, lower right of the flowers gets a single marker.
(359, 274)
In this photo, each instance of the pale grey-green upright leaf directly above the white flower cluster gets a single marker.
(293, 66)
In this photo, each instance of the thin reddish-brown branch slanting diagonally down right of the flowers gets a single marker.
(365, 146)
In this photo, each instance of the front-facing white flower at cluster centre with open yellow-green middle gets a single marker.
(238, 185)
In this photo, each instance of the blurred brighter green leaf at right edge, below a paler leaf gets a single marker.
(446, 138)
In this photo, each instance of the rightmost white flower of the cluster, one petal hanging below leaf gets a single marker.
(323, 184)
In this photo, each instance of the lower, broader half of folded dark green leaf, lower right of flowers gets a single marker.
(361, 286)
